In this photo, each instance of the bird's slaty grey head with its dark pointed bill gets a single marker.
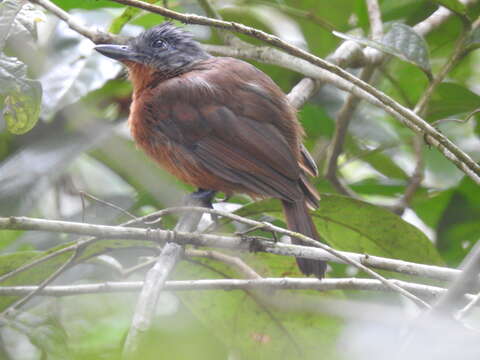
(164, 47)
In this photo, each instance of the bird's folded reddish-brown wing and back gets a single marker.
(236, 124)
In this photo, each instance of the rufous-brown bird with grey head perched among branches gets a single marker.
(219, 124)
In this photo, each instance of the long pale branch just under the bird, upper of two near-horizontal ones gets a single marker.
(219, 241)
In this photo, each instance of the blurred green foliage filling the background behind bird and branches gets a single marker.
(71, 106)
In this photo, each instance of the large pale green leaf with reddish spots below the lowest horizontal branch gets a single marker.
(252, 328)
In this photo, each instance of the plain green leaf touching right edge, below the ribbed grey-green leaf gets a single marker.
(451, 99)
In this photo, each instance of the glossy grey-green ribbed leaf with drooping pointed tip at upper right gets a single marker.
(400, 41)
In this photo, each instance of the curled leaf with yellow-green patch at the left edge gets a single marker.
(21, 96)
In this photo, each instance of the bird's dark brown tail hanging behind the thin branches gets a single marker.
(299, 220)
